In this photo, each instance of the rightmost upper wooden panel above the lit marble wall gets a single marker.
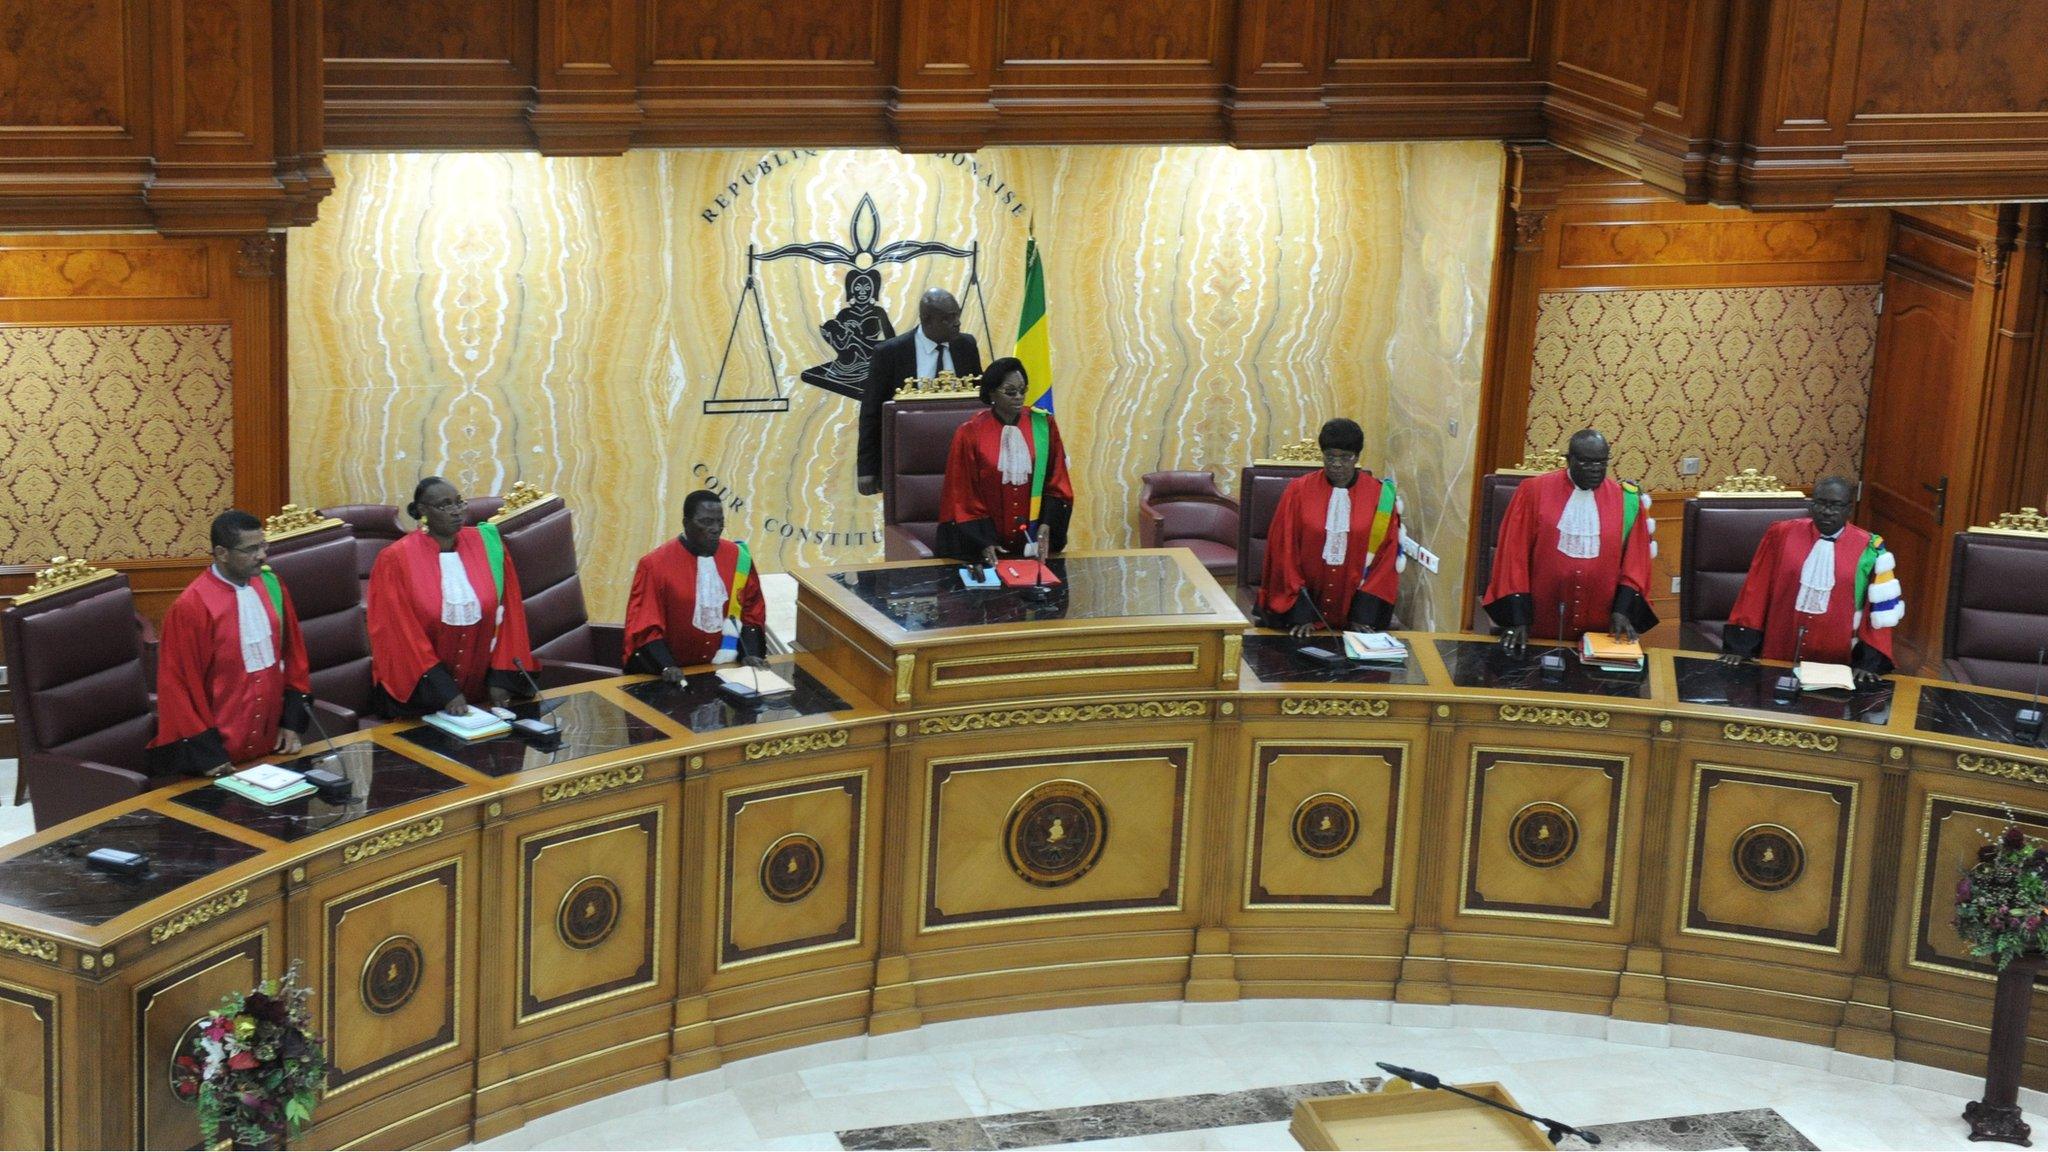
(1406, 71)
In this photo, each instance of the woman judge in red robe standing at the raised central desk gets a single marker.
(984, 507)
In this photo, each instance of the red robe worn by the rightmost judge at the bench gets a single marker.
(1766, 618)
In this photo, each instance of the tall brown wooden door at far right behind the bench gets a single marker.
(1912, 470)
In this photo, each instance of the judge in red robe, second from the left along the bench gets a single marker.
(441, 636)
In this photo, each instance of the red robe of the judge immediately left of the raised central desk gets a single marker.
(665, 600)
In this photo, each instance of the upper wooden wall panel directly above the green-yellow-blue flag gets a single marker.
(1152, 71)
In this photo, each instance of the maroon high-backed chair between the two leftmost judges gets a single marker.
(314, 561)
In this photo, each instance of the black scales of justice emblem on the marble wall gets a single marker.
(853, 331)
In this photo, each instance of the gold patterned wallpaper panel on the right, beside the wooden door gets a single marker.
(1770, 378)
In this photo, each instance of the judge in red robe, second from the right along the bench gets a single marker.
(1574, 540)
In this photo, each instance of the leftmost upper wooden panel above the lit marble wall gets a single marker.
(413, 75)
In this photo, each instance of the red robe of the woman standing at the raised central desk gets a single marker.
(976, 509)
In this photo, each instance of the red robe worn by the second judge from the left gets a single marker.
(413, 651)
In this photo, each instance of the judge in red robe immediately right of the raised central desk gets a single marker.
(1334, 546)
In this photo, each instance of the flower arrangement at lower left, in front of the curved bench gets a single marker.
(255, 1069)
